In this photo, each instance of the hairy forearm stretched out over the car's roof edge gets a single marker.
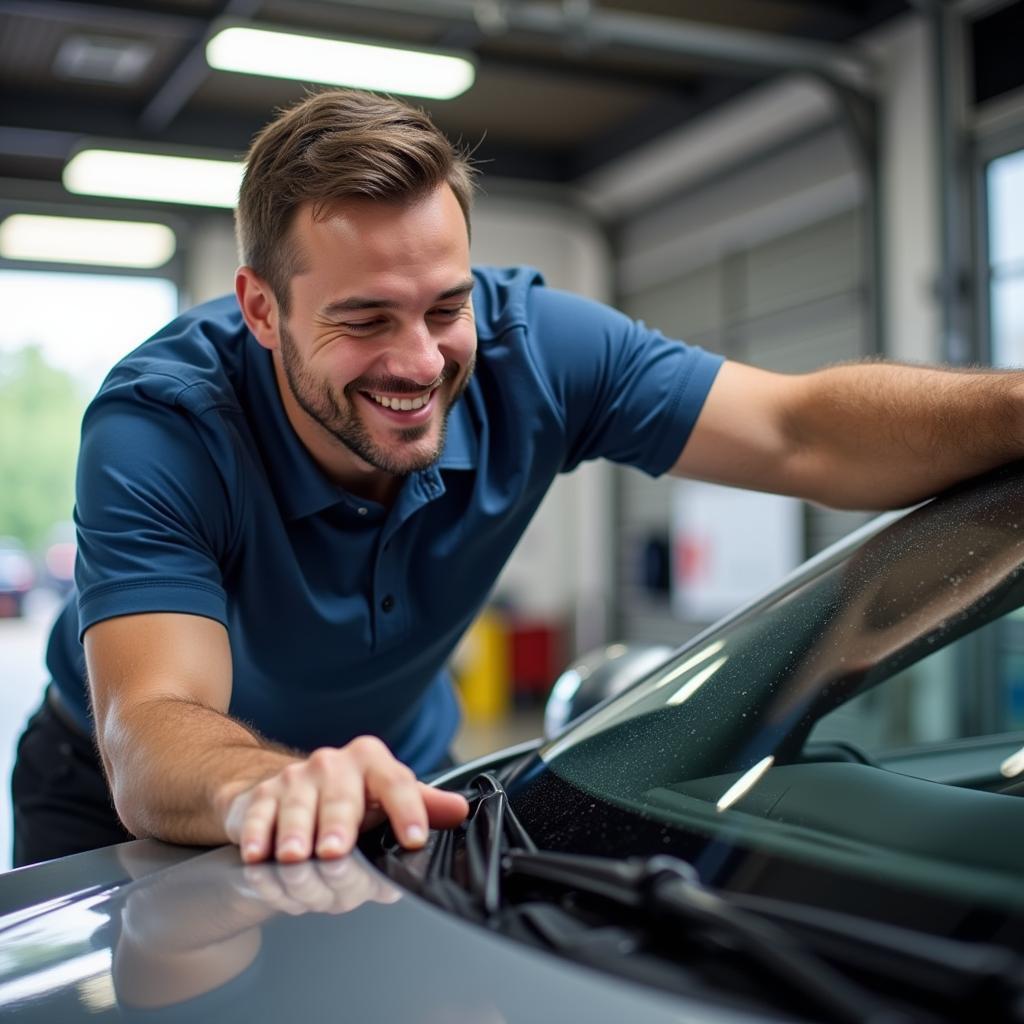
(884, 436)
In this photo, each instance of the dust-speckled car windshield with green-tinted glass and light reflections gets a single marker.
(786, 729)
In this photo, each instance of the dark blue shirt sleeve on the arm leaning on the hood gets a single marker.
(153, 515)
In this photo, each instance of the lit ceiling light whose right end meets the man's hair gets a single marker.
(155, 178)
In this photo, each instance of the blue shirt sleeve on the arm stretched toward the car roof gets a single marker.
(625, 393)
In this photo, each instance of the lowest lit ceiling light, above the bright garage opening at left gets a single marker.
(78, 240)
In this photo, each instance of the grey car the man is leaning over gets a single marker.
(783, 821)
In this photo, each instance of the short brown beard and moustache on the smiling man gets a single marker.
(319, 401)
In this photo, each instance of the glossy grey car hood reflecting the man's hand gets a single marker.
(167, 933)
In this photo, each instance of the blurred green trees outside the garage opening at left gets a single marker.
(40, 416)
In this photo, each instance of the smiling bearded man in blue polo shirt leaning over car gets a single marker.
(293, 502)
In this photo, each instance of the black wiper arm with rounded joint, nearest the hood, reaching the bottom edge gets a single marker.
(669, 889)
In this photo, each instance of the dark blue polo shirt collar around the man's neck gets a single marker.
(300, 485)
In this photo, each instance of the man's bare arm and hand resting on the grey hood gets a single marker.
(182, 770)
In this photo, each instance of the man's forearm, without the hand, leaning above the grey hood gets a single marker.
(176, 765)
